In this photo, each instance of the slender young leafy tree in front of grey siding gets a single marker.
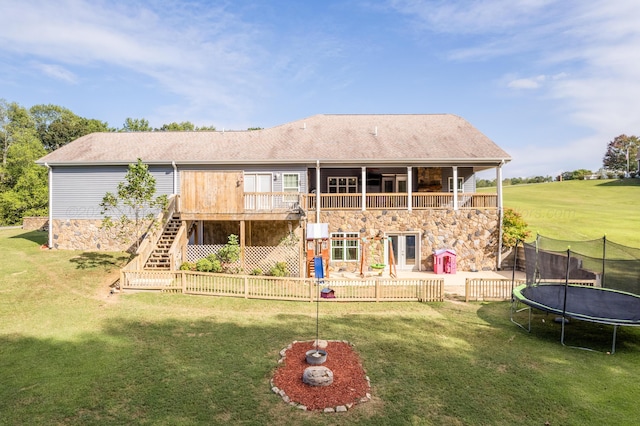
(135, 205)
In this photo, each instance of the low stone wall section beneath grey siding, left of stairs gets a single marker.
(84, 234)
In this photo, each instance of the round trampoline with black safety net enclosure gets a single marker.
(603, 290)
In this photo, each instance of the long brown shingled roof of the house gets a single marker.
(333, 138)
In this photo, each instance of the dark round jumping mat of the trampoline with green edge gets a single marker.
(585, 303)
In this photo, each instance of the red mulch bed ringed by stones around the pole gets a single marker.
(349, 386)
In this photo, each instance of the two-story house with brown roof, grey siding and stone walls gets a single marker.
(384, 184)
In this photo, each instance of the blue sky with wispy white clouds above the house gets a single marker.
(550, 81)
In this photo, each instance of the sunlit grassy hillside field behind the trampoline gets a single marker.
(579, 210)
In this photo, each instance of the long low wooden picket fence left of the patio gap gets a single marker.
(303, 289)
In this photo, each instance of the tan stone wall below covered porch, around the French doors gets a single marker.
(473, 234)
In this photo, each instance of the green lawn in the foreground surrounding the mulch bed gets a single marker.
(71, 354)
